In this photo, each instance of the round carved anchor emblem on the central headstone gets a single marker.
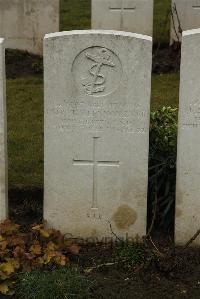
(97, 71)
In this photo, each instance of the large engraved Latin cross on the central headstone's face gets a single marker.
(95, 163)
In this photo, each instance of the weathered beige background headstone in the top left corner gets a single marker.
(25, 22)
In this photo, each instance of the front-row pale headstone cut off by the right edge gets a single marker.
(188, 163)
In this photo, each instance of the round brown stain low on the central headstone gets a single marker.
(124, 217)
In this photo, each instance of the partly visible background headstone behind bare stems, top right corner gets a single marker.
(186, 15)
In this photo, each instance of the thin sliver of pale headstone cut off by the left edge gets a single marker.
(3, 137)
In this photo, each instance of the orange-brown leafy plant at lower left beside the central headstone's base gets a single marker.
(39, 248)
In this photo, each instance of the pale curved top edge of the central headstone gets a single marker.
(98, 32)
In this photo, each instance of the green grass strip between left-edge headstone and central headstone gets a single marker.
(25, 132)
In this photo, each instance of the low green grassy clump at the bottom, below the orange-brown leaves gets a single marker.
(58, 284)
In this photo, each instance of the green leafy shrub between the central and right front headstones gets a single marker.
(162, 166)
